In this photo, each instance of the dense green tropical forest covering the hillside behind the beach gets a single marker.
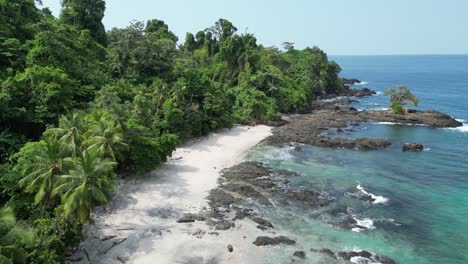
(80, 106)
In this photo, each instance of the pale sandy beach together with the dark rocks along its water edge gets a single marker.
(191, 208)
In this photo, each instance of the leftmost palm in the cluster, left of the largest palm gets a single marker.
(42, 173)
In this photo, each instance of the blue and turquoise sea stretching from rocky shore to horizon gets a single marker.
(421, 211)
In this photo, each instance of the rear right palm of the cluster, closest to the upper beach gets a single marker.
(106, 137)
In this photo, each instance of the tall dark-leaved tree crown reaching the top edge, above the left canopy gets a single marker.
(86, 14)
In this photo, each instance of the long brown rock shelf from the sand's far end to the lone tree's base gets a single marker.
(309, 128)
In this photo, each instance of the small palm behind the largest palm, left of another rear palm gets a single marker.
(69, 133)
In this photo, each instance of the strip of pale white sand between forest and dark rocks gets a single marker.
(140, 224)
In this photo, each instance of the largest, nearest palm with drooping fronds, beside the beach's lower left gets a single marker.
(89, 183)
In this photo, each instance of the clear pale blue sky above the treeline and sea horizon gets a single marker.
(340, 27)
